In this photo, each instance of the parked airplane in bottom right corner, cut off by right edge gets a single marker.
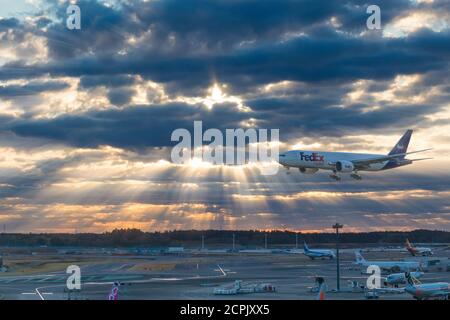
(421, 291)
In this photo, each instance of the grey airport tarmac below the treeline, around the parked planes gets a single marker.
(190, 275)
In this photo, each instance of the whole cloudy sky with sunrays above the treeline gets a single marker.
(86, 115)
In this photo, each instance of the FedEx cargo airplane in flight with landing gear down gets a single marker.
(310, 162)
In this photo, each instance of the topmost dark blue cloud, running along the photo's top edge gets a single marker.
(179, 26)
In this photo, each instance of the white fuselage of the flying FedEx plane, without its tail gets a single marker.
(325, 160)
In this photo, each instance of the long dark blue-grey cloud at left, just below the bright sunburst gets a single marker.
(132, 127)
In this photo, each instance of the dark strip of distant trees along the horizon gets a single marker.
(192, 238)
